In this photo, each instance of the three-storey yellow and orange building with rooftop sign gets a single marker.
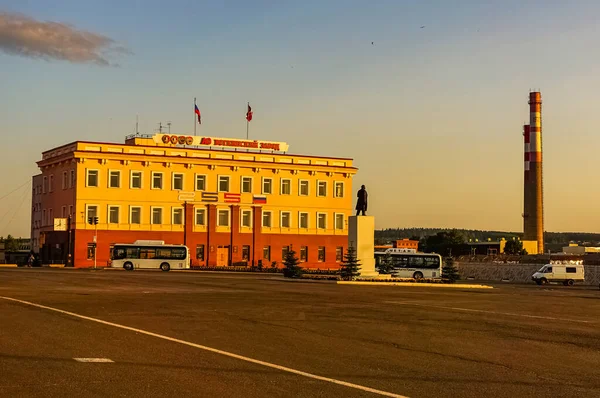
(230, 201)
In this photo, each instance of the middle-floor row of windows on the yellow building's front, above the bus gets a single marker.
(223, 217)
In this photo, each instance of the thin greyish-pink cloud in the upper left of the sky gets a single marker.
(24, 36)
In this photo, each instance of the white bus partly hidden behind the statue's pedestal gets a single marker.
(407, 263)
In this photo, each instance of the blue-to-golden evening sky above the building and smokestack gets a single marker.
(428, 97)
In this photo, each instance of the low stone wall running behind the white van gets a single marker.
(519, 273)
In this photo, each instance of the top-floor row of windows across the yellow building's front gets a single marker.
(223, 183)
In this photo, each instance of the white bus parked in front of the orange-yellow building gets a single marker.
(150, 255)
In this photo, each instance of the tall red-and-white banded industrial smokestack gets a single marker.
(533, 203)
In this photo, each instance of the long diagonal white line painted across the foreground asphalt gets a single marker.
(214, 350)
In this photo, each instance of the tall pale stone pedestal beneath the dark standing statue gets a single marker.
(361, 236)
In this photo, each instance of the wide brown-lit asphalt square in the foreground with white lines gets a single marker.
(254, 335)
